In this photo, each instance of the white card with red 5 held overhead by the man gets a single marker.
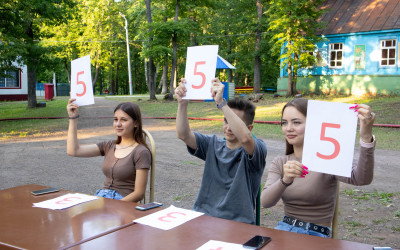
(201, 64)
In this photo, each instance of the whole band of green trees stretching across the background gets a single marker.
(48, 35)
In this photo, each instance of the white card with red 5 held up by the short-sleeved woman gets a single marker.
(81, 81)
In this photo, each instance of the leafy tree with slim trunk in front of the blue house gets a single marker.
(294, 25)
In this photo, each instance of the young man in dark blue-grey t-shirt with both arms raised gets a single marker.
(233, 166)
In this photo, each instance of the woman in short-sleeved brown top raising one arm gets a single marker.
(126, 160)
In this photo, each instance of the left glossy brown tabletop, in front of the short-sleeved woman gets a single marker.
(24, 226)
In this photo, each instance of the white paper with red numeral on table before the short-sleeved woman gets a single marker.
(65, 201)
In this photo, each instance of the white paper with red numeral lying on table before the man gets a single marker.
(168, 218)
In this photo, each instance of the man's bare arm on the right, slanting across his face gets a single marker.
(241, 130)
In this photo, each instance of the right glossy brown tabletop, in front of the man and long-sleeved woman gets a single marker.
(197, 232)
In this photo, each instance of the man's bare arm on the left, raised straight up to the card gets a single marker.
(183, 130)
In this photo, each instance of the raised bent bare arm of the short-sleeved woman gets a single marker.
(73, 147)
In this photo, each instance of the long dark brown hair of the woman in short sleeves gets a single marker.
(133, 111)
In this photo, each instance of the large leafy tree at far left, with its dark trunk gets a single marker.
(21, 23)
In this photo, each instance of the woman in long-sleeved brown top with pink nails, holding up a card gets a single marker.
(309, 198)
